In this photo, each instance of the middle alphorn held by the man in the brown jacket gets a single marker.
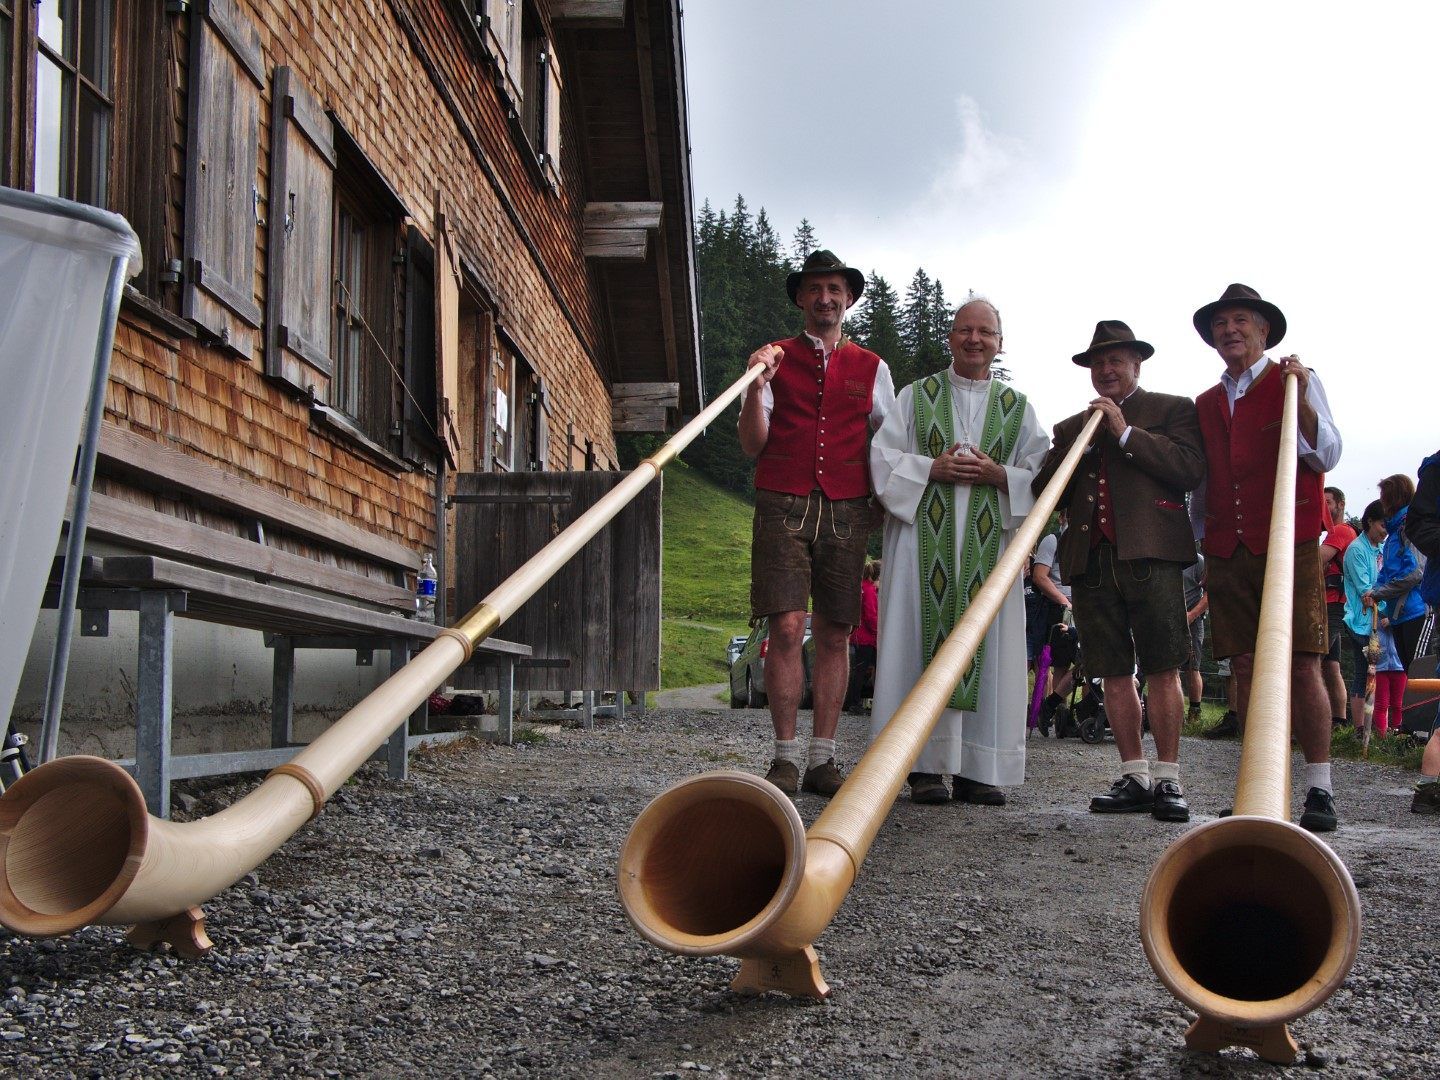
(722, 865)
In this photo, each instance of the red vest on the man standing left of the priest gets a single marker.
(820, 421)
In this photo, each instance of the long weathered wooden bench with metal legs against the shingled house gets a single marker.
(351, 595)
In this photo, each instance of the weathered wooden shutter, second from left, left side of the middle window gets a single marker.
(302, 222)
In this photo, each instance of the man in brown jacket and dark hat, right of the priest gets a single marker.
(1124, 559)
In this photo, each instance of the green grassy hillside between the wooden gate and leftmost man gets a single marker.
(706, 590)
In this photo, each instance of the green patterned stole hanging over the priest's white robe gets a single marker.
(945, 594)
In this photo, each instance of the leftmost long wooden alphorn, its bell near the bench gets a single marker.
(78, 847)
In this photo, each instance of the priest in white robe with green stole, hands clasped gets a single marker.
(981, 748)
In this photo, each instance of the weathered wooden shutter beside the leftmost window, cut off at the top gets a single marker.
(222, 188)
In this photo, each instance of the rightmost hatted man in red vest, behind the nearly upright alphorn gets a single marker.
(1241, 427)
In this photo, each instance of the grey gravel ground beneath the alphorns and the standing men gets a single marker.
(466, 924)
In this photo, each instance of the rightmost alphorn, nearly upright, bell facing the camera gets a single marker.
(1252, 921)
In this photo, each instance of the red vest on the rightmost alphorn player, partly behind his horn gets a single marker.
(1242, 454)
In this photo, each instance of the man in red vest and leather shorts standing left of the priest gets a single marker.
(806, 421)
